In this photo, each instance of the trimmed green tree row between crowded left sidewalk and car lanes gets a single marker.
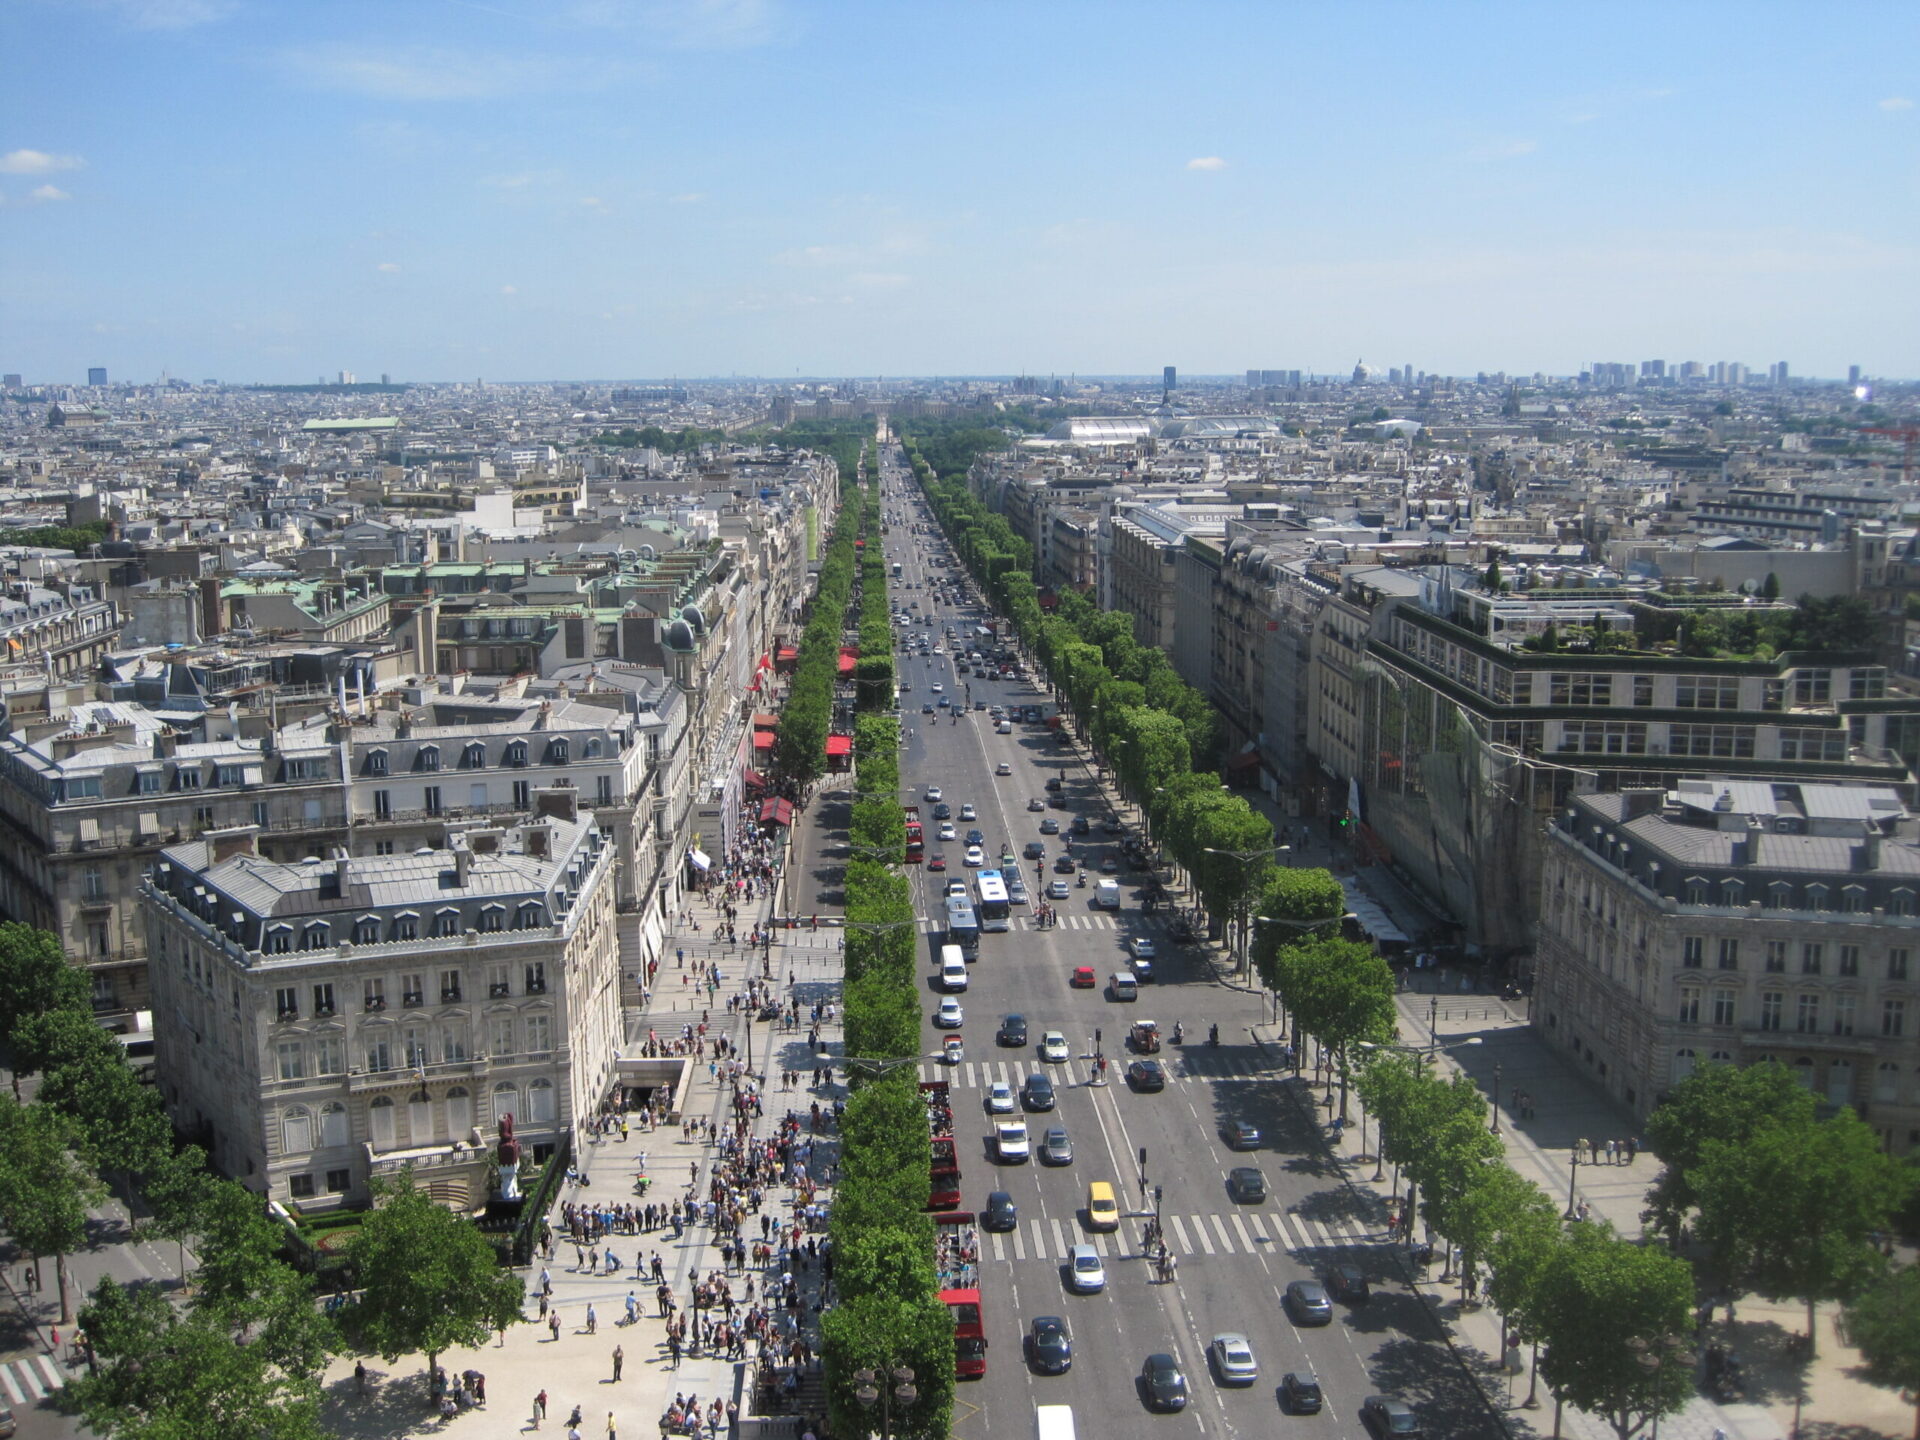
(890, 1312)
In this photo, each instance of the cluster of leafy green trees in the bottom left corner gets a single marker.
(241, 1356)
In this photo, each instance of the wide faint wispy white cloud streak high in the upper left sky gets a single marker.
(437, 74)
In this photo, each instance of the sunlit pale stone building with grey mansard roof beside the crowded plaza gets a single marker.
(335, 1020)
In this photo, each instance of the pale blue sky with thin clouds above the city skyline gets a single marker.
(270, 191)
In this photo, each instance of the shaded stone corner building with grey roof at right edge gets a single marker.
(1739, 921)
